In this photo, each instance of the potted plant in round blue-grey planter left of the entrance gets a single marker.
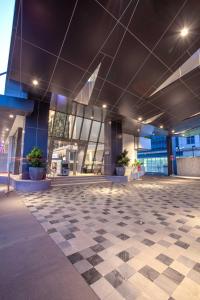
(36, 168)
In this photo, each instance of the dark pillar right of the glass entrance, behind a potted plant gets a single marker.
(113, 145)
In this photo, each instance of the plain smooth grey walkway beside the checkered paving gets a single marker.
(31, 265)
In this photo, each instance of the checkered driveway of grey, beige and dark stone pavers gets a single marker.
(135, 241)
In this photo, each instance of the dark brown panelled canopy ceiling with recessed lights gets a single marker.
(137, 42)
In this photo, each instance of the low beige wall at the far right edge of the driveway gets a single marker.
(188, 166)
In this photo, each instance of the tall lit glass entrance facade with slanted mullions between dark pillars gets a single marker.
(77, 133)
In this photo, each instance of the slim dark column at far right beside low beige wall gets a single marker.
(171, 155)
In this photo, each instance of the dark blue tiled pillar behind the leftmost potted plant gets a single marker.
(36, 133)
